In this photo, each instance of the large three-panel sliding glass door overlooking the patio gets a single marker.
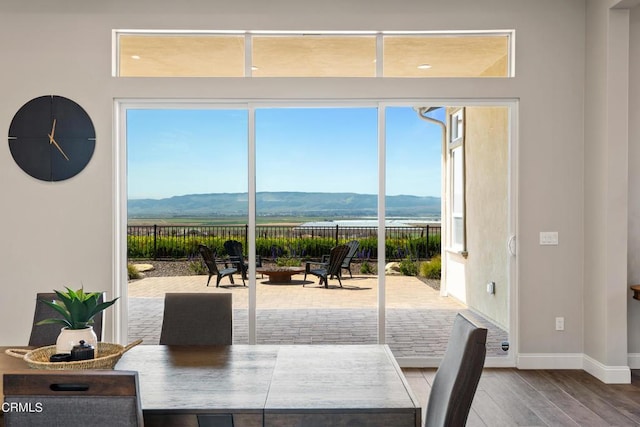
(421, 196)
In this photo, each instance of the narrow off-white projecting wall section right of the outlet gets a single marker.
(606, 177)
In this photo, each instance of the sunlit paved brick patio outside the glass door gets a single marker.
(419, 320)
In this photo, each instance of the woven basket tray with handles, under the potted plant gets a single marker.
(108, 356)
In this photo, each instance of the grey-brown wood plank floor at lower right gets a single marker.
(511, 397)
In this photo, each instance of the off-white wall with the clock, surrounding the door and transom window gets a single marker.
(61, 234)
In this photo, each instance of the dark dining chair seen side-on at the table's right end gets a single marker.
(458, 375)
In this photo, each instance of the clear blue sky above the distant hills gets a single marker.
(176, 152)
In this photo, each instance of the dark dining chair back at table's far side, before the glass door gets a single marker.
(197, 319)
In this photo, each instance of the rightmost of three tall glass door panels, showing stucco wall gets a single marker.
(448, 254)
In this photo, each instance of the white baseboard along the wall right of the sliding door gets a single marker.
(606, 374)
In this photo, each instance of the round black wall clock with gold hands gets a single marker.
(52, 138)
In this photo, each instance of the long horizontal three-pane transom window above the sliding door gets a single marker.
(323, 54)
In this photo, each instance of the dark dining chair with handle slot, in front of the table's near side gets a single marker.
(101, 398)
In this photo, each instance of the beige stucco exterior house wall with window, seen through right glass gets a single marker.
(478, 260)
